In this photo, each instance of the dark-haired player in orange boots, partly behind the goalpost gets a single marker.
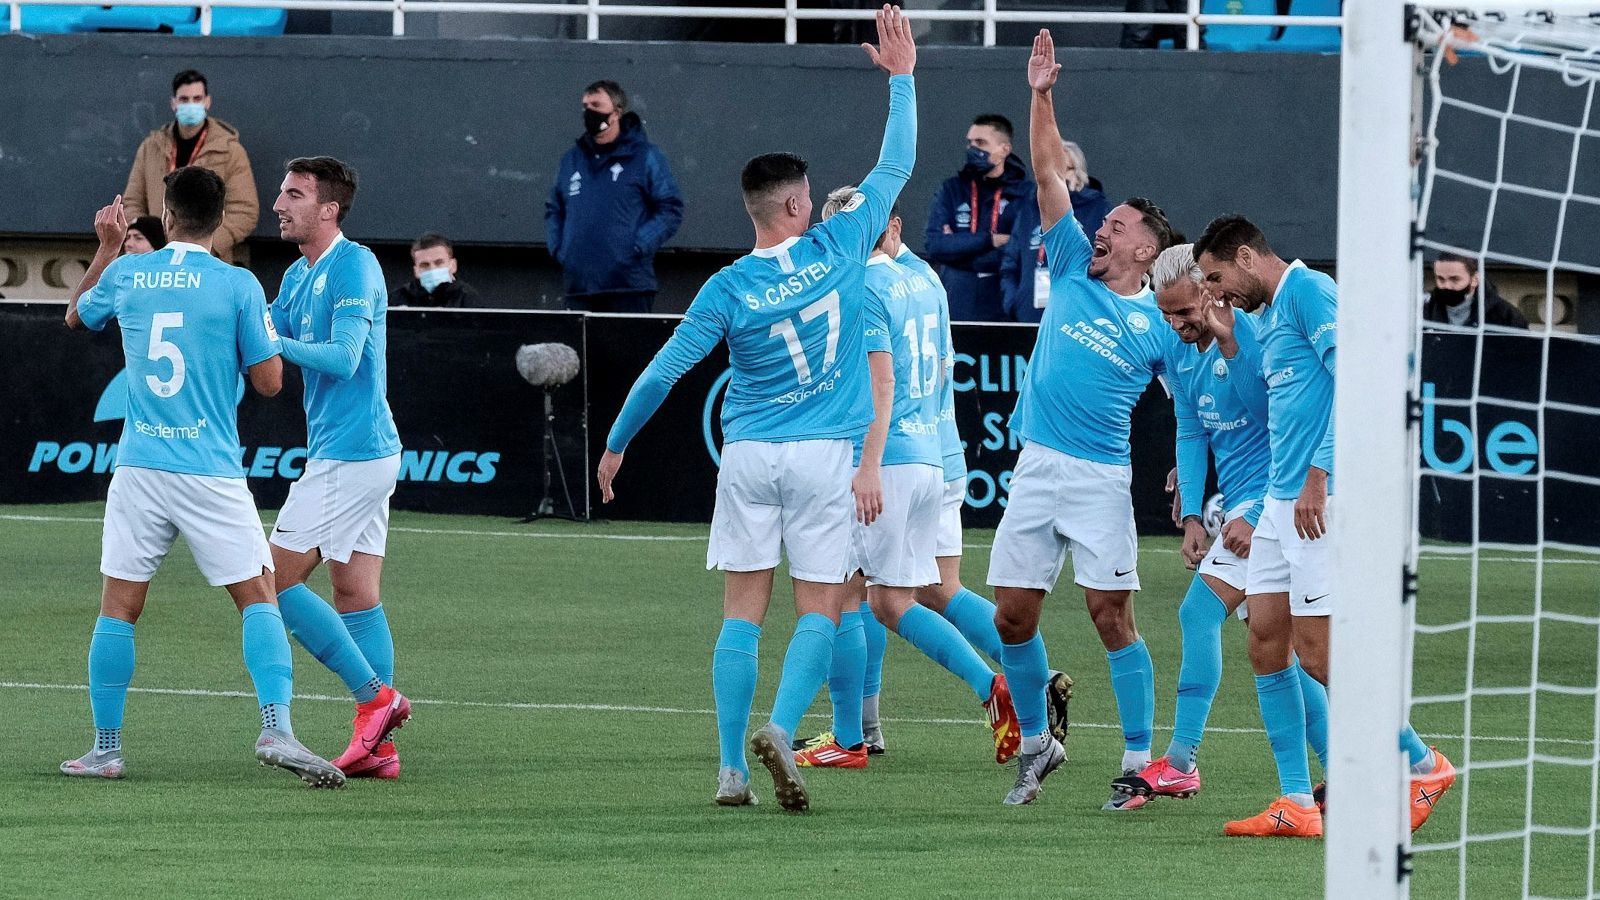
(1292, 566)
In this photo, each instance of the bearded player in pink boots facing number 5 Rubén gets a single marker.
(332, 313)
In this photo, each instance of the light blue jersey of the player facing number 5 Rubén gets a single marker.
(346, 419)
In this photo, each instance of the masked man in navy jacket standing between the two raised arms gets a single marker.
(972, 220)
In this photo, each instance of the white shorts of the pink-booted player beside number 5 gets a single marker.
(338, 508)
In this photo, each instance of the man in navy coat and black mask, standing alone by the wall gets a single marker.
(612, 209)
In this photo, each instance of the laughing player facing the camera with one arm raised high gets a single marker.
(1098, 347)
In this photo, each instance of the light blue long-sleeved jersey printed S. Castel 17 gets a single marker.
(793, 318)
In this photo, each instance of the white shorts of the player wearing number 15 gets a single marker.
(898, 548)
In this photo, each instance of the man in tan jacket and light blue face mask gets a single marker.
(194, 139)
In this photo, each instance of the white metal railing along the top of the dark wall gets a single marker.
(791, 14)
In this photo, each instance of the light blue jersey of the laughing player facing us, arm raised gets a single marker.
(1095, 355)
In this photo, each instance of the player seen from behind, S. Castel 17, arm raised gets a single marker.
(793, 315)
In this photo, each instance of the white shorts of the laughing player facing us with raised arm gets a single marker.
(1062, 504)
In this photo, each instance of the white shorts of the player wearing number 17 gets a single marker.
(782, 499)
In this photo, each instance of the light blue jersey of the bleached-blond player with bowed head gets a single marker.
(1222, 409)
